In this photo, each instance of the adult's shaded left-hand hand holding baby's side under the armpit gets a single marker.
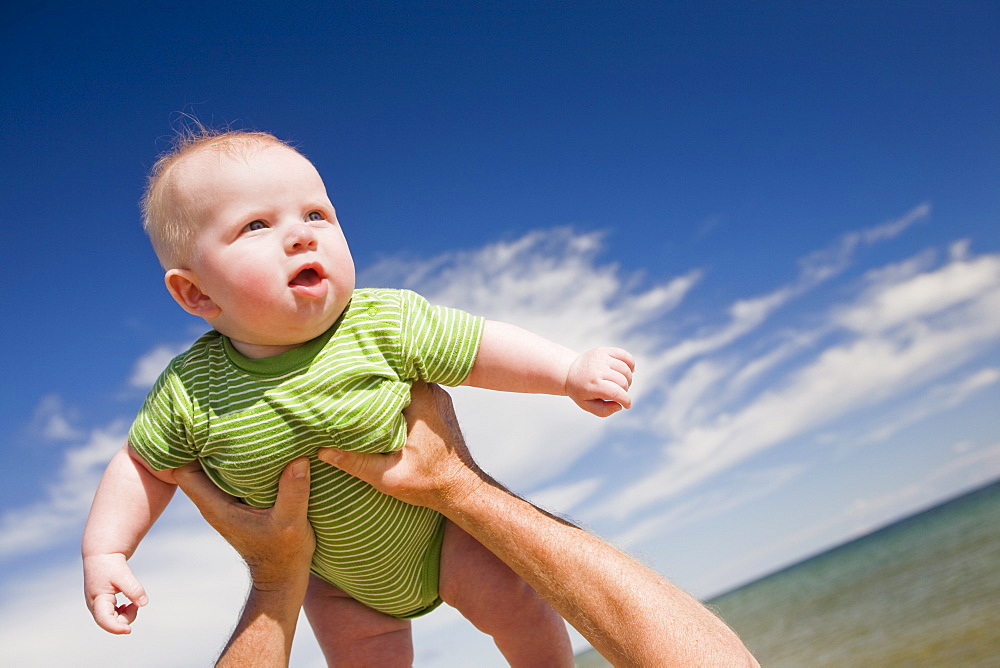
(277, 543)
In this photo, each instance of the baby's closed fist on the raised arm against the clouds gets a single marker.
(598, 380)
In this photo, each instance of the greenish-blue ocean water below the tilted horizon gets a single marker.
(924, 591)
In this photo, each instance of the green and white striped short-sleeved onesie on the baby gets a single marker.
(245, 419)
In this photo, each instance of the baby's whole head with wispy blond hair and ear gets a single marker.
(249, 239)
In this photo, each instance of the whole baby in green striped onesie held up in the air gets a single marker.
(299, 359)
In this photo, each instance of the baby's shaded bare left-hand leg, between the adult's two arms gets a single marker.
(352, 634)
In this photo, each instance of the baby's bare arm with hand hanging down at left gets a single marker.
(128, 501)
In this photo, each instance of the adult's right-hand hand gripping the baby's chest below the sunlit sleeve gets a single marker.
(434, 469)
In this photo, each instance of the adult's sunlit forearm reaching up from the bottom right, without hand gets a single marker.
(630, 614)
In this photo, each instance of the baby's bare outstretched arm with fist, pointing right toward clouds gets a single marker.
(512, 359)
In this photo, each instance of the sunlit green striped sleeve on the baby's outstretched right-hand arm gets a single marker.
(440, 344)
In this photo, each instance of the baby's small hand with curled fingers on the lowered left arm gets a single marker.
(104, 577)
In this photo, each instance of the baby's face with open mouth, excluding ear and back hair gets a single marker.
(269, 251)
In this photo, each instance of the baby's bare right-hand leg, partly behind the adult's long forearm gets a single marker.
(498, 602)
